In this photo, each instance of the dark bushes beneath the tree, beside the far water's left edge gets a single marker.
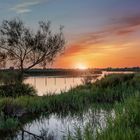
(11, 85)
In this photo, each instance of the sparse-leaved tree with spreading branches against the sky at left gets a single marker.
(25, 48)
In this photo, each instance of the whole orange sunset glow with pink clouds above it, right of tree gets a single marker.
(106, 48)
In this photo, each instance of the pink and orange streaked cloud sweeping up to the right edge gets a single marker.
(111, 34)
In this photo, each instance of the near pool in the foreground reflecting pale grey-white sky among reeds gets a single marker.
(58, 126)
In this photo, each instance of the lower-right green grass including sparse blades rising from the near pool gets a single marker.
(125, 125)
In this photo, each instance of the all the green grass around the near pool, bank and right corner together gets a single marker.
(121, 91)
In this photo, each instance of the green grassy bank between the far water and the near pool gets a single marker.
(110, 90)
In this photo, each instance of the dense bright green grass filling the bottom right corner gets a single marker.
(126, 125)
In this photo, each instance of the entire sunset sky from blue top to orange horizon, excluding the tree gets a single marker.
(99, 33)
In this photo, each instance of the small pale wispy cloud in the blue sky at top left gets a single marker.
(25, 7)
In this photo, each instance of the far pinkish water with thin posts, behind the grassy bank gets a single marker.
(54, 85)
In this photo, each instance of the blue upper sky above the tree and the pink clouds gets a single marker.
(76, 15)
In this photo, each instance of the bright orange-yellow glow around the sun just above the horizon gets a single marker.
(100, 56)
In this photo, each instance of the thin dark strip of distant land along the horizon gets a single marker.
(70, 72)
